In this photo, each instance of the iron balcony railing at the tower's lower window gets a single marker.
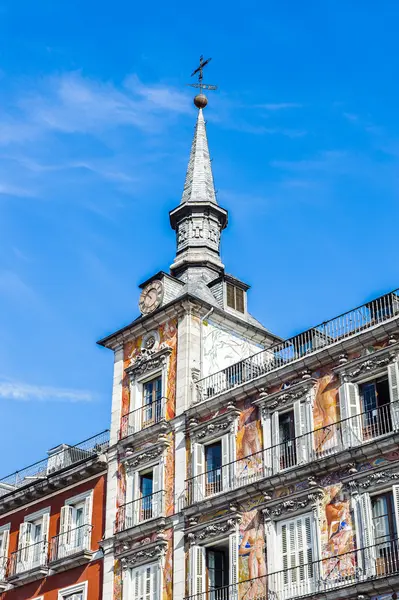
(140, 510)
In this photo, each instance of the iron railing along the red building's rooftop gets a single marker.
(56, 462)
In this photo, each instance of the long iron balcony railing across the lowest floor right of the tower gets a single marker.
(313, 577)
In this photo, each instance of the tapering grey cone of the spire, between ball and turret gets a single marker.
(199, 186)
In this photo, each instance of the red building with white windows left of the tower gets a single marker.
(52, 518)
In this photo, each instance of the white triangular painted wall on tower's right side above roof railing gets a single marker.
(222, 348)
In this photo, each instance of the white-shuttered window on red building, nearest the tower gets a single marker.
(75, 527)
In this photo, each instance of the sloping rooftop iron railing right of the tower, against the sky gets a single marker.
(279, 355)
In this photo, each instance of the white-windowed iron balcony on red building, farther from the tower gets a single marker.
(29, 563)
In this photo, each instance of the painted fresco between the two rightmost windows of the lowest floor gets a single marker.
(337, 533)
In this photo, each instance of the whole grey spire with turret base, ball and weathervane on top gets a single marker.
(198, 220)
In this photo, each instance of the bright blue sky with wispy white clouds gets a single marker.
(95, 128)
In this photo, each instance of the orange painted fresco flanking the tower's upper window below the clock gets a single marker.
(167, 334)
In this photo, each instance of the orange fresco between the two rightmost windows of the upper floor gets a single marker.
(326, 413)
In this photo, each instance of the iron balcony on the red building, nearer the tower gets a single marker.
(71, 548)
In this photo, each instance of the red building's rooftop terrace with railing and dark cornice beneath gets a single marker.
(43, 476)
